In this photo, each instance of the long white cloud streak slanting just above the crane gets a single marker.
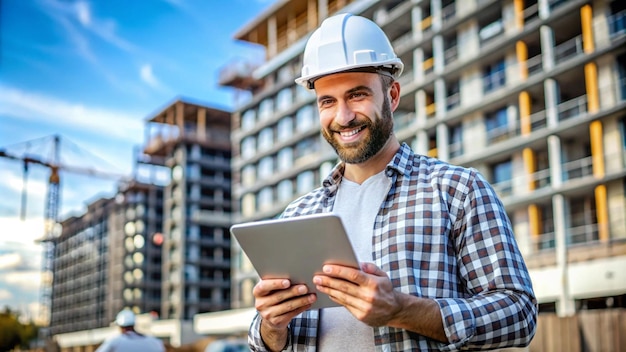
(45, 109)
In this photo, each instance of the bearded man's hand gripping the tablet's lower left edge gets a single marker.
(278, 302)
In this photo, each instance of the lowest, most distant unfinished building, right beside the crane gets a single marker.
(107, 259)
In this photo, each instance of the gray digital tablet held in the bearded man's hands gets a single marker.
(296, 248)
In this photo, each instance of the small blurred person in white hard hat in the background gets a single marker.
(129, 340)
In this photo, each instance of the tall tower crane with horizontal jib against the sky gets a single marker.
(51, 209)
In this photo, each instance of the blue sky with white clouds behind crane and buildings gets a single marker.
(92, 72)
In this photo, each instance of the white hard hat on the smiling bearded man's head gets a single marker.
(348, 43)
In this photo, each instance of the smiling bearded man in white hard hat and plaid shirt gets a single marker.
(440, 266)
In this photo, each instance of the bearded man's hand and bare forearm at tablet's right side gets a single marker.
(369, 295)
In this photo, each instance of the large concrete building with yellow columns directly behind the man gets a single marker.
(531, 93)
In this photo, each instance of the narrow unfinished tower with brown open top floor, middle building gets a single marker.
(193, 142)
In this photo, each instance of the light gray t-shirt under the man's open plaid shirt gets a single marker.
(357, 205)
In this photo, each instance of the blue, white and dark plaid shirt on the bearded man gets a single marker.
(441, 233)
